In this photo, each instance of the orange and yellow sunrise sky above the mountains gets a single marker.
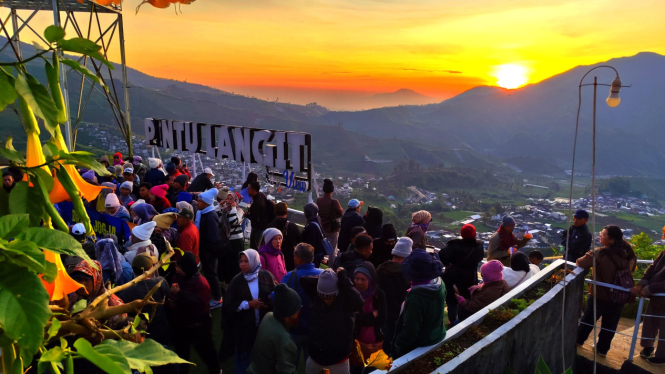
(326, 50)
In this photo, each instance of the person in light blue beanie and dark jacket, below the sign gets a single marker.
(207, 221)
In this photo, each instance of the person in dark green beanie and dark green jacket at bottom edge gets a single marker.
(274, 350)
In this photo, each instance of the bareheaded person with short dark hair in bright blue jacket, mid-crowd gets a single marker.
(303, 255)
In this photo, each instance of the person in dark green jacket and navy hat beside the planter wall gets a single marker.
(421, 321)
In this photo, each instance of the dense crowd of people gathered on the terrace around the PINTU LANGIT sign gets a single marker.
(288, 293)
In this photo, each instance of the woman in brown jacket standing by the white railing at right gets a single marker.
(615, 255)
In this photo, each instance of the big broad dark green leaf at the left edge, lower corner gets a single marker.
(23, 306)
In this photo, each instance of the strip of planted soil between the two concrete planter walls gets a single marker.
(474, 334)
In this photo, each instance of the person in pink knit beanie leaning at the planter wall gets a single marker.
(492, 289)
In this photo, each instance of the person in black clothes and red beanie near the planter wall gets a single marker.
(461, 258)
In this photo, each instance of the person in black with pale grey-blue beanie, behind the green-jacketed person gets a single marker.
(392, 282)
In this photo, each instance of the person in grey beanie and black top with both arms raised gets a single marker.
(334, 305)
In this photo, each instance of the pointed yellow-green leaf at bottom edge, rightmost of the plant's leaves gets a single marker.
(143, 356)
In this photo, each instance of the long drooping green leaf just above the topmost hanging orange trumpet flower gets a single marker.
(38, 98)
